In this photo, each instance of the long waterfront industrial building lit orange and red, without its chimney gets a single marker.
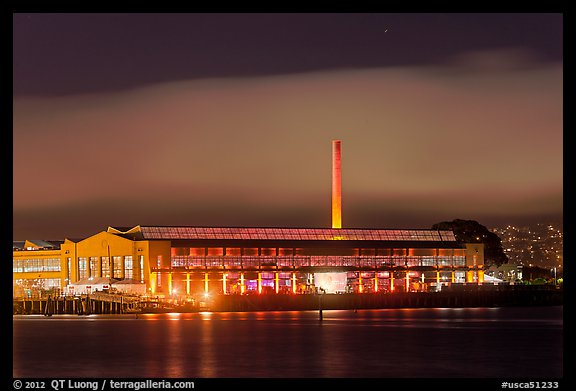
(196, 260)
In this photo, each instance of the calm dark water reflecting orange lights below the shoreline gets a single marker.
(472, 342)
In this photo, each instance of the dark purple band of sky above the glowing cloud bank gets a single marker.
(70, 53)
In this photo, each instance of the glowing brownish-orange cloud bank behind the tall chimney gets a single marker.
(485, 141)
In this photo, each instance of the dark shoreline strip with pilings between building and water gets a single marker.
(454, 297)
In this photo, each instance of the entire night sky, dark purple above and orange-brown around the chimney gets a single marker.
(227, 120)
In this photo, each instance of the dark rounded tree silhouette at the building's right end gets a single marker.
(470, 231)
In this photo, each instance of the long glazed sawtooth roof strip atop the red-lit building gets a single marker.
(307, 234)
